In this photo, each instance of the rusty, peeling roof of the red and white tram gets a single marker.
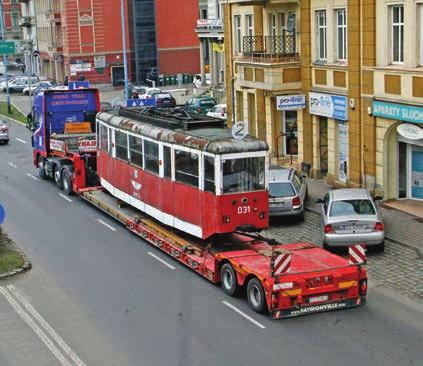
(214, 140)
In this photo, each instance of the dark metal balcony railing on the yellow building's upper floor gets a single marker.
(271, 48)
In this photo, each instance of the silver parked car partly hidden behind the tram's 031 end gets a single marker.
(288, 192)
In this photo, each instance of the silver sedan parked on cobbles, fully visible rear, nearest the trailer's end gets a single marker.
(350, 216)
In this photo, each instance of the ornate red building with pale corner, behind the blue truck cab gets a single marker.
(80, 39)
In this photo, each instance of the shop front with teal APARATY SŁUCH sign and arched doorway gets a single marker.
(400, 126)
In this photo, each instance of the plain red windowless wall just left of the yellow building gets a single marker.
(177, 42)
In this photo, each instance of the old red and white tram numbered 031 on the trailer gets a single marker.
(187, 174)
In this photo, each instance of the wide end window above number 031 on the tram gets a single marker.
(243, 175)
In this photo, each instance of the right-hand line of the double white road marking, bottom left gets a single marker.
(41, 321)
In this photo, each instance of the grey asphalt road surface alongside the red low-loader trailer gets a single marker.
(112, 303)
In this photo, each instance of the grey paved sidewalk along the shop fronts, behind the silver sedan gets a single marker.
(400, 227)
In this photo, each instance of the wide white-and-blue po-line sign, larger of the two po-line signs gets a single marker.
(327, 105)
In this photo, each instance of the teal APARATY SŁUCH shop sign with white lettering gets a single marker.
(401, 112)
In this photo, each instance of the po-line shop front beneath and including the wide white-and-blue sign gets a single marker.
(330, 136)
